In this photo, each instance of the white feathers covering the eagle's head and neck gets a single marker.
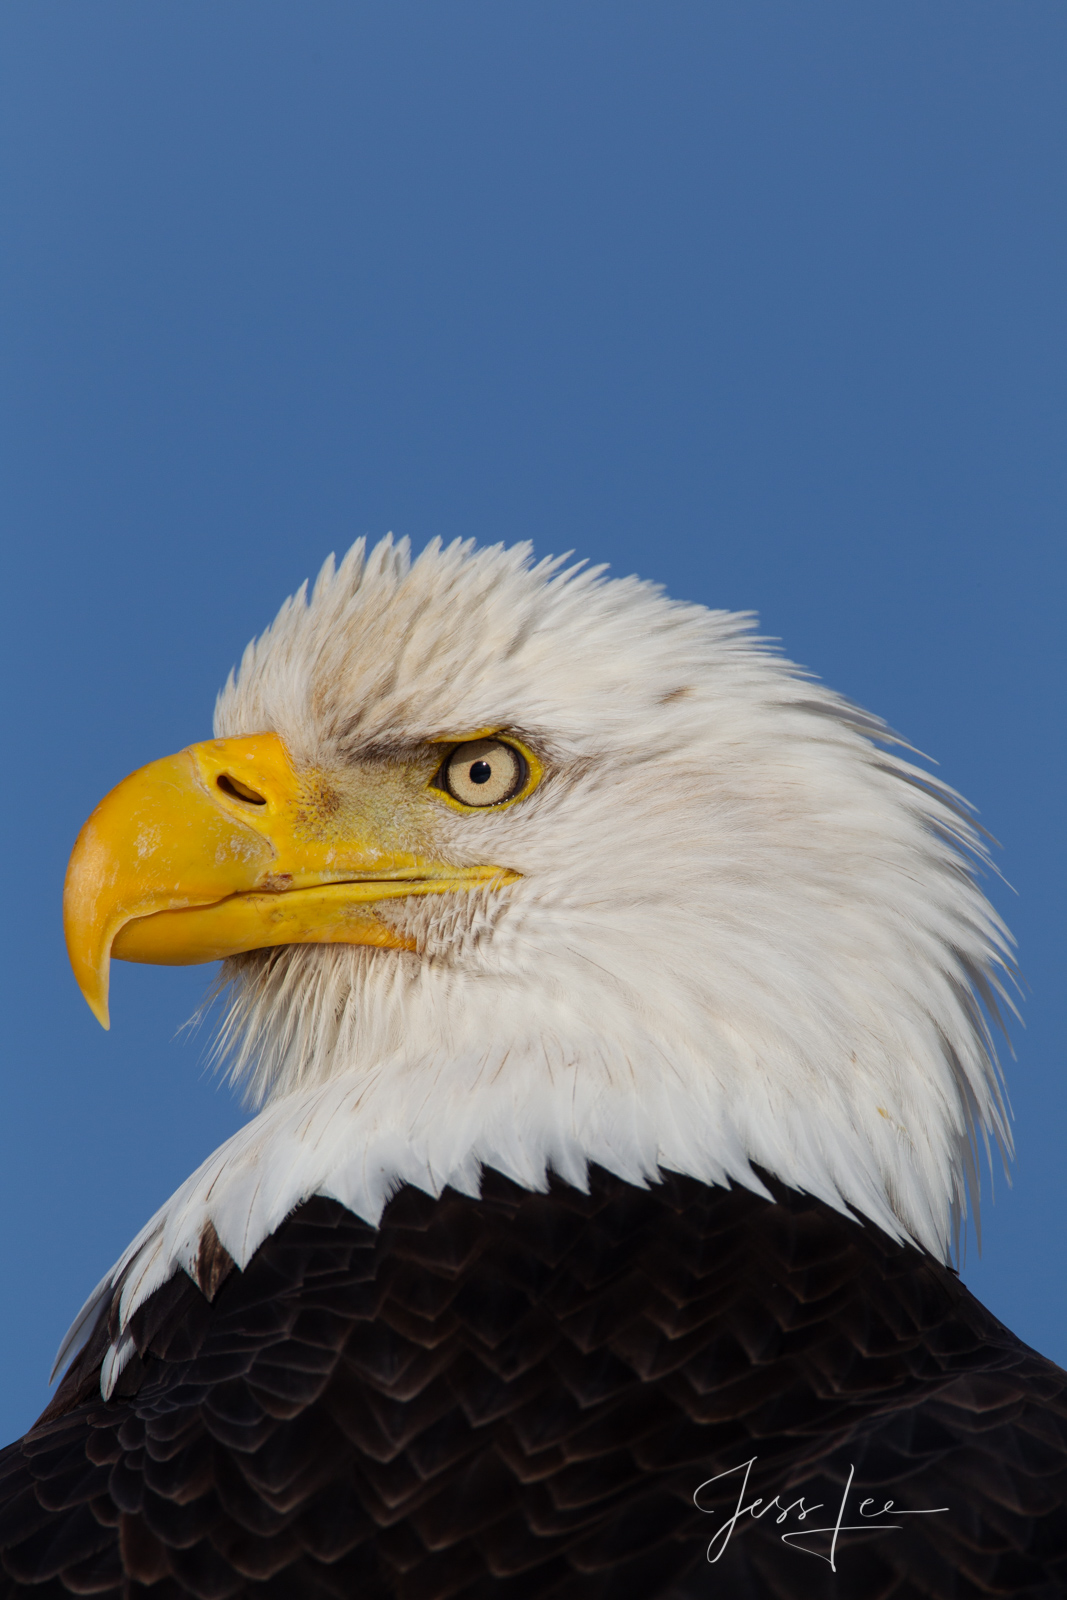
(746, 932)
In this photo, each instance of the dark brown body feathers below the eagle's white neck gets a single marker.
(518, 1398)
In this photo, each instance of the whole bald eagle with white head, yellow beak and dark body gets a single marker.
(613, 999)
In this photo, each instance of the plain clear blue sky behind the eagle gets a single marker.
(759, 300)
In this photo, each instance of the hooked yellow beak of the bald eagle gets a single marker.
(225, 849)
